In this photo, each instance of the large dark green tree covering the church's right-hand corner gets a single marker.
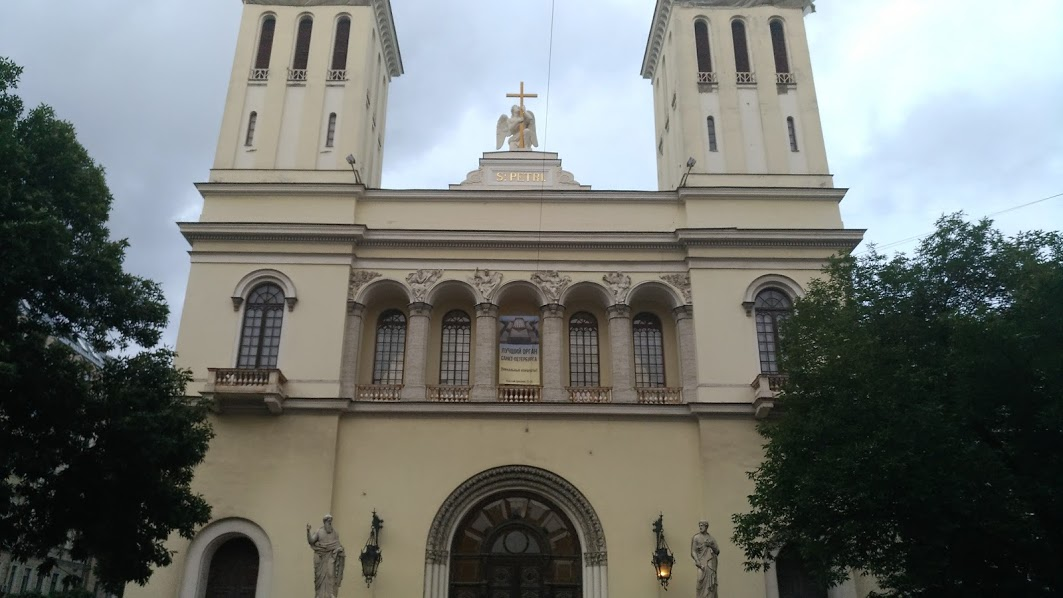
(921, 435)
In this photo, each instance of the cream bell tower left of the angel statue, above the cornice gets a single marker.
(309, 89)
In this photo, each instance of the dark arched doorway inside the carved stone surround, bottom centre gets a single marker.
(516, 545)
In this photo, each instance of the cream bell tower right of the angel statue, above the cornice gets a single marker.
(733, 90)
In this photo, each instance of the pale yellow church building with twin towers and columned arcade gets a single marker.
(518, 403)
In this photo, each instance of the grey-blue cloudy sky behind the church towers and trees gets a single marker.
(930, 107)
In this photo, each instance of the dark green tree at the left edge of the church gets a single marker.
(100, 454)
